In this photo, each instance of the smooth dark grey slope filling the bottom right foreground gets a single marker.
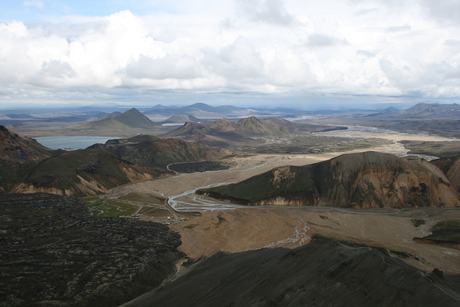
(322, 273)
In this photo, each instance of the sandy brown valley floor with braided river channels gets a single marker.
(207, 226)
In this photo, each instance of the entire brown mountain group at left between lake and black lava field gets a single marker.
(28, 167)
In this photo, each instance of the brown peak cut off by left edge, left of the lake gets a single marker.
(17, 147)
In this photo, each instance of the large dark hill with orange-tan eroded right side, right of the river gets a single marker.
(361, 180)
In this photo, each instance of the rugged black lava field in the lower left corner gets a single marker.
(54, 253)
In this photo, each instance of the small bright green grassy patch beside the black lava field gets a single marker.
(109, 208)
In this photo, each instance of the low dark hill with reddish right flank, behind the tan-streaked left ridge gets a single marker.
(151, 150)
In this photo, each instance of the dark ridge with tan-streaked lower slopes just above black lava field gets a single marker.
(77, 173)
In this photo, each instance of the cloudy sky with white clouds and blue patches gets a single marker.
(270, 52)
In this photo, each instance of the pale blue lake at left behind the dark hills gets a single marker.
(72, 142)
